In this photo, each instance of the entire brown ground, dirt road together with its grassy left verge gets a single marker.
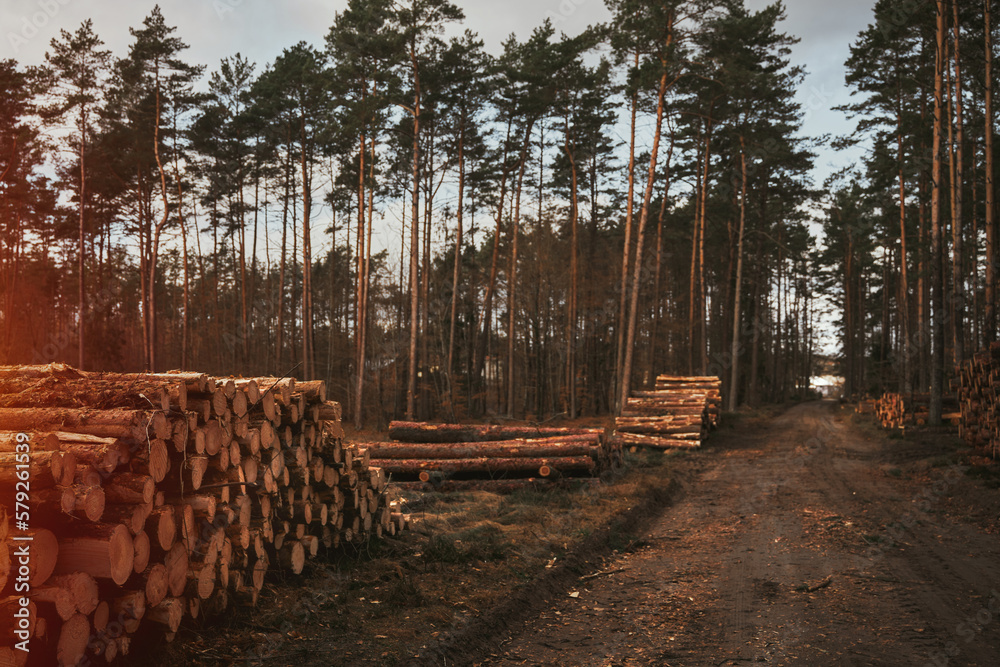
(806, 537)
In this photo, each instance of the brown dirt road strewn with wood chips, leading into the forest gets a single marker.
(803, 542)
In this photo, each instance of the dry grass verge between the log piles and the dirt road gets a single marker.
(465, 553)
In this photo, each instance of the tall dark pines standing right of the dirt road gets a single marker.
(912, 239)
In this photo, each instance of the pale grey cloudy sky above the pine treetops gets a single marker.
(260, 29)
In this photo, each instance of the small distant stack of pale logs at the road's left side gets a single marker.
(678, 414)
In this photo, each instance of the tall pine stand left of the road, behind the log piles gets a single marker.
(575, 214)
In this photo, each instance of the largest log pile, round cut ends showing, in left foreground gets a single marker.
(160, 497)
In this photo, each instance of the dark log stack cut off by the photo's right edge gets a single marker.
(978, 386)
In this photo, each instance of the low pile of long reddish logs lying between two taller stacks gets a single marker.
(499, 458)
